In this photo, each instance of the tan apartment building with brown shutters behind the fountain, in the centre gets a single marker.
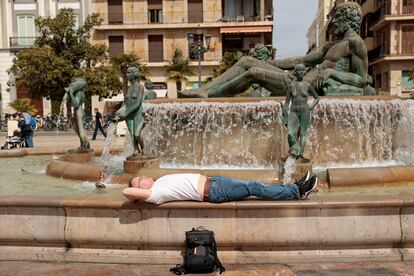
(153, 29)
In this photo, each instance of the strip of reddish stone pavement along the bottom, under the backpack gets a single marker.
(11, 268)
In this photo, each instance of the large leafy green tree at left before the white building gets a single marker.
(61, 53)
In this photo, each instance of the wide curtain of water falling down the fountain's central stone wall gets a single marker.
(251, 134)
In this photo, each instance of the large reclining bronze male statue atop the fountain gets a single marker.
(343, 65)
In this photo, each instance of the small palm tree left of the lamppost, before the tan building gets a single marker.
(178, 68)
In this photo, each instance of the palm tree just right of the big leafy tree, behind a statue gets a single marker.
(123, 61)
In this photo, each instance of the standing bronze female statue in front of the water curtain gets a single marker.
(298, 119)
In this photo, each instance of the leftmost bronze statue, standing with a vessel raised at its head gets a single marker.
(77, 97)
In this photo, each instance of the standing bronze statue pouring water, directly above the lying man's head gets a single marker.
(132, 110)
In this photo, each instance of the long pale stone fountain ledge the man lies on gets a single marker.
(379, 228)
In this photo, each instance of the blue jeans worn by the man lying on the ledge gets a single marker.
(224, 189)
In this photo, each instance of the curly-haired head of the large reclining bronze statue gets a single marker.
(348, 15)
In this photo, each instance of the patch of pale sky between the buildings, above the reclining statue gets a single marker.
(292, 21)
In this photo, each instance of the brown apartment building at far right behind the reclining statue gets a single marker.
(388, 30)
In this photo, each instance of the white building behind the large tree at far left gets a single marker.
(17, 31)
